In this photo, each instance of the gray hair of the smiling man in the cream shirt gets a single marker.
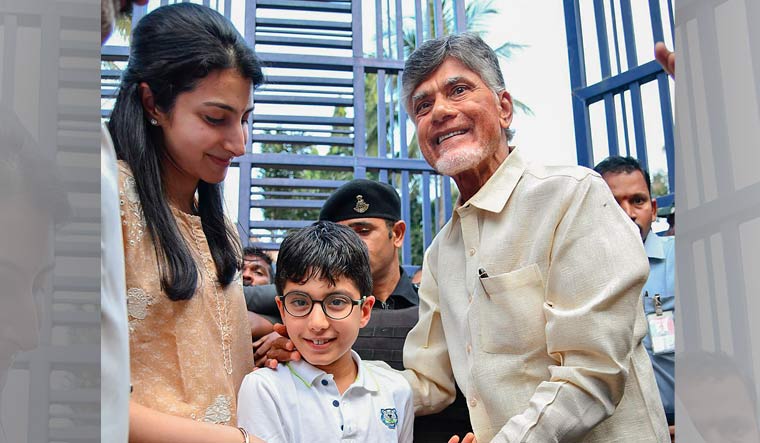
(466, 47)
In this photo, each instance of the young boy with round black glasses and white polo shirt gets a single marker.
(324, 291)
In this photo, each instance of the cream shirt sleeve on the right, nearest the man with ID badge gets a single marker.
(593, 288)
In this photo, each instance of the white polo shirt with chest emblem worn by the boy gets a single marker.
(299, 403)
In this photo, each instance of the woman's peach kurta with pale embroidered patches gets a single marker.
(180, 361)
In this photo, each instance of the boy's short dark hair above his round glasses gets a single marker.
(324, 250)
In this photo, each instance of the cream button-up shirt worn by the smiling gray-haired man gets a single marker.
(547, 347)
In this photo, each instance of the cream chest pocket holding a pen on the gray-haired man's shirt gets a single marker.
(511, 311)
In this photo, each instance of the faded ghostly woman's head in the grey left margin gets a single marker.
(33, 201)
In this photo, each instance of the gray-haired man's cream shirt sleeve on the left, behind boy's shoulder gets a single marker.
(426, 356)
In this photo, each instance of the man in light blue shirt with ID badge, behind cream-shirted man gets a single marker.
(631, 186)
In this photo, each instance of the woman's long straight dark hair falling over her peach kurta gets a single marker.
(173, 48)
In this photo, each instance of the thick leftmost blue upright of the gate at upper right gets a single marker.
(578, 81)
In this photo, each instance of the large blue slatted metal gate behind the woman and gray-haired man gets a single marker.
(330, 111)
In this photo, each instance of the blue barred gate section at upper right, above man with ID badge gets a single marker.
(621, 81)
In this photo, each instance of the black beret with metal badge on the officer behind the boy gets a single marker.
(361, 198)
